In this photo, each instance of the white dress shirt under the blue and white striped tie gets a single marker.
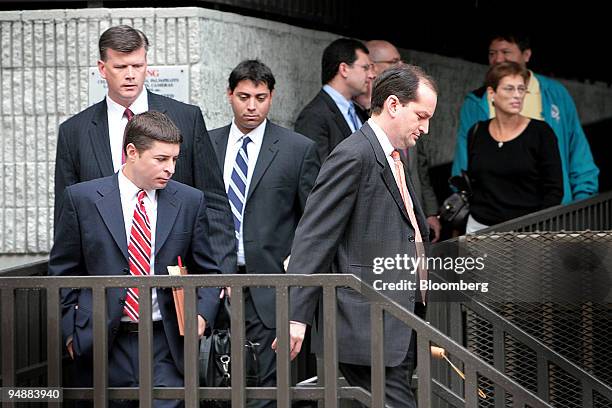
(234, 142)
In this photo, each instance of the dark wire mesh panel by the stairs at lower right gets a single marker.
(555, 287)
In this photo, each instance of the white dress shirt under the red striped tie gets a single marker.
(129, 196)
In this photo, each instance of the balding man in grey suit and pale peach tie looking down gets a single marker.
(362, 208)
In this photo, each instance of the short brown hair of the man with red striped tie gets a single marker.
(145, 128)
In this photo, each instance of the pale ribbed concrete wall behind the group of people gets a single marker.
(45, 56)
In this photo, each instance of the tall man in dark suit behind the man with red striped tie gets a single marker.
(90, 143)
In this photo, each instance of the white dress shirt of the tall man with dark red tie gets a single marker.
(117, 122)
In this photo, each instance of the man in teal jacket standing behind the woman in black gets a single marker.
(547, 100)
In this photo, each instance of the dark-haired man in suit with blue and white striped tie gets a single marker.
(269, 171)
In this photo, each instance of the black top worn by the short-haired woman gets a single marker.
(522, 176)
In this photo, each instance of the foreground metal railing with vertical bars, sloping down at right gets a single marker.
(328, 392)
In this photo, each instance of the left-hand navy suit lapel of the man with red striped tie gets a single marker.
(109, 207)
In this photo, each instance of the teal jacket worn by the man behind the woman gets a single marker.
(579, 170)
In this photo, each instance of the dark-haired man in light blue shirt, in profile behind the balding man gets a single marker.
(331, 117)
